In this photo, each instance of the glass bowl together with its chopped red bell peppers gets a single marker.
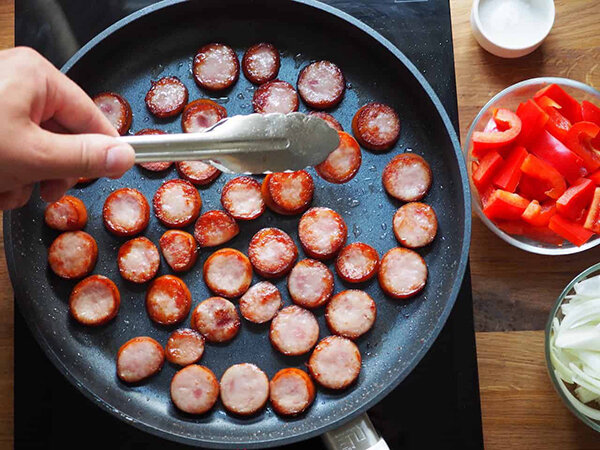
(533, 156)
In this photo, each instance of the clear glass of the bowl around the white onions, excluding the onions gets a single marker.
(559, 385)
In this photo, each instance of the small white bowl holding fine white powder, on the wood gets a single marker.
(511, 28)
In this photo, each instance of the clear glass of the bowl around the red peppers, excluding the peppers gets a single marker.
(510, 98)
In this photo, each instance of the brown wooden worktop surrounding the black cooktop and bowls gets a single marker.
(512, 290)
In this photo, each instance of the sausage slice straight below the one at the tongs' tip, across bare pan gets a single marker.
(322, 232)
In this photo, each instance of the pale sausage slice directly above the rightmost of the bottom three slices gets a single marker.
(294, 331)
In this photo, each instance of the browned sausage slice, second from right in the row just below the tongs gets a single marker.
(242, 199)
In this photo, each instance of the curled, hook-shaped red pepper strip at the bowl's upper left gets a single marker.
(508, 127)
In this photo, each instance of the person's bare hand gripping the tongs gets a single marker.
(50, 131)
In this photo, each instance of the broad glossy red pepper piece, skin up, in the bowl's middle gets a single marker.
(554, 152)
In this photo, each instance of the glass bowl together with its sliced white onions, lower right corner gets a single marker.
(573, 346)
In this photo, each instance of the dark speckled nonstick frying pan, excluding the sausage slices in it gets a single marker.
(161, 40)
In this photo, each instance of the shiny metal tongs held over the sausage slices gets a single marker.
(253, 144)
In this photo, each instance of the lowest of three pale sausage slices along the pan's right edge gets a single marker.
(402, 273)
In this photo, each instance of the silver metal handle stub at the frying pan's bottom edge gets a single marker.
(358, 434)
